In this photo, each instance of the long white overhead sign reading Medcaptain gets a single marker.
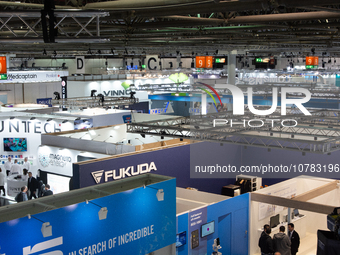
(33, 76)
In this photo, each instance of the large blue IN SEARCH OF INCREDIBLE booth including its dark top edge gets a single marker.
(136, 215)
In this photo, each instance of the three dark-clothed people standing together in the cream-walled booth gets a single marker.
(280, 244)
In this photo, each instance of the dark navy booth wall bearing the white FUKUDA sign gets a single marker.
(174, 162)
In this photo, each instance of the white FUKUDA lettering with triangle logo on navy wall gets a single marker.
(116, 174)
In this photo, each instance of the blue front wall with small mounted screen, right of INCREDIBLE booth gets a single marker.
(231, 219)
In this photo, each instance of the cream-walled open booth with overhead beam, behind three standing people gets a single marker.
(305, 201)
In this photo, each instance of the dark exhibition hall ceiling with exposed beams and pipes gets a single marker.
(163, 27)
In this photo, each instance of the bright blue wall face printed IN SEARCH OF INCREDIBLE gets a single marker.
(76, 229)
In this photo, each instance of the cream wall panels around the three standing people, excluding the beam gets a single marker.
(260, 213)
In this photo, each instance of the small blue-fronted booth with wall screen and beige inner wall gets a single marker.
(203, 218)
